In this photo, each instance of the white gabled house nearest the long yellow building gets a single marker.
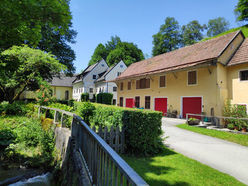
(103, 83)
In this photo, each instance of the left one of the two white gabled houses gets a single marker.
(85, 81)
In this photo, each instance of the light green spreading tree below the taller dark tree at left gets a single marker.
(22, 67)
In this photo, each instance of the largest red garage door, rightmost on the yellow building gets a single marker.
(192, 105)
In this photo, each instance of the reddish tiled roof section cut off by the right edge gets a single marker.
(241, 56)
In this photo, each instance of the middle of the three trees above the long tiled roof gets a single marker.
(192, 33)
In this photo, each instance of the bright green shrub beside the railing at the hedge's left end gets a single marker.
(86, 110)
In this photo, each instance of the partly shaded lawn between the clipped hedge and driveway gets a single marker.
(171, 168)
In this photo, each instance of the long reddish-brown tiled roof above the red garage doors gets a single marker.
(181, 58)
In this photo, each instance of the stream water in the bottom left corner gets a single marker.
(41, 180)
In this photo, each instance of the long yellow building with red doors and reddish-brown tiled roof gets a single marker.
(194, 79)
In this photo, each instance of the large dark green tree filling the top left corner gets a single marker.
(38, 24)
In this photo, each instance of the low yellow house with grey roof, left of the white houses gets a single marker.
(61, 88)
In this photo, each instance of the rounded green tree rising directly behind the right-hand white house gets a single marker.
(128, 52)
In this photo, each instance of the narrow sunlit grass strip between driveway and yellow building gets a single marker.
(236, 138)
